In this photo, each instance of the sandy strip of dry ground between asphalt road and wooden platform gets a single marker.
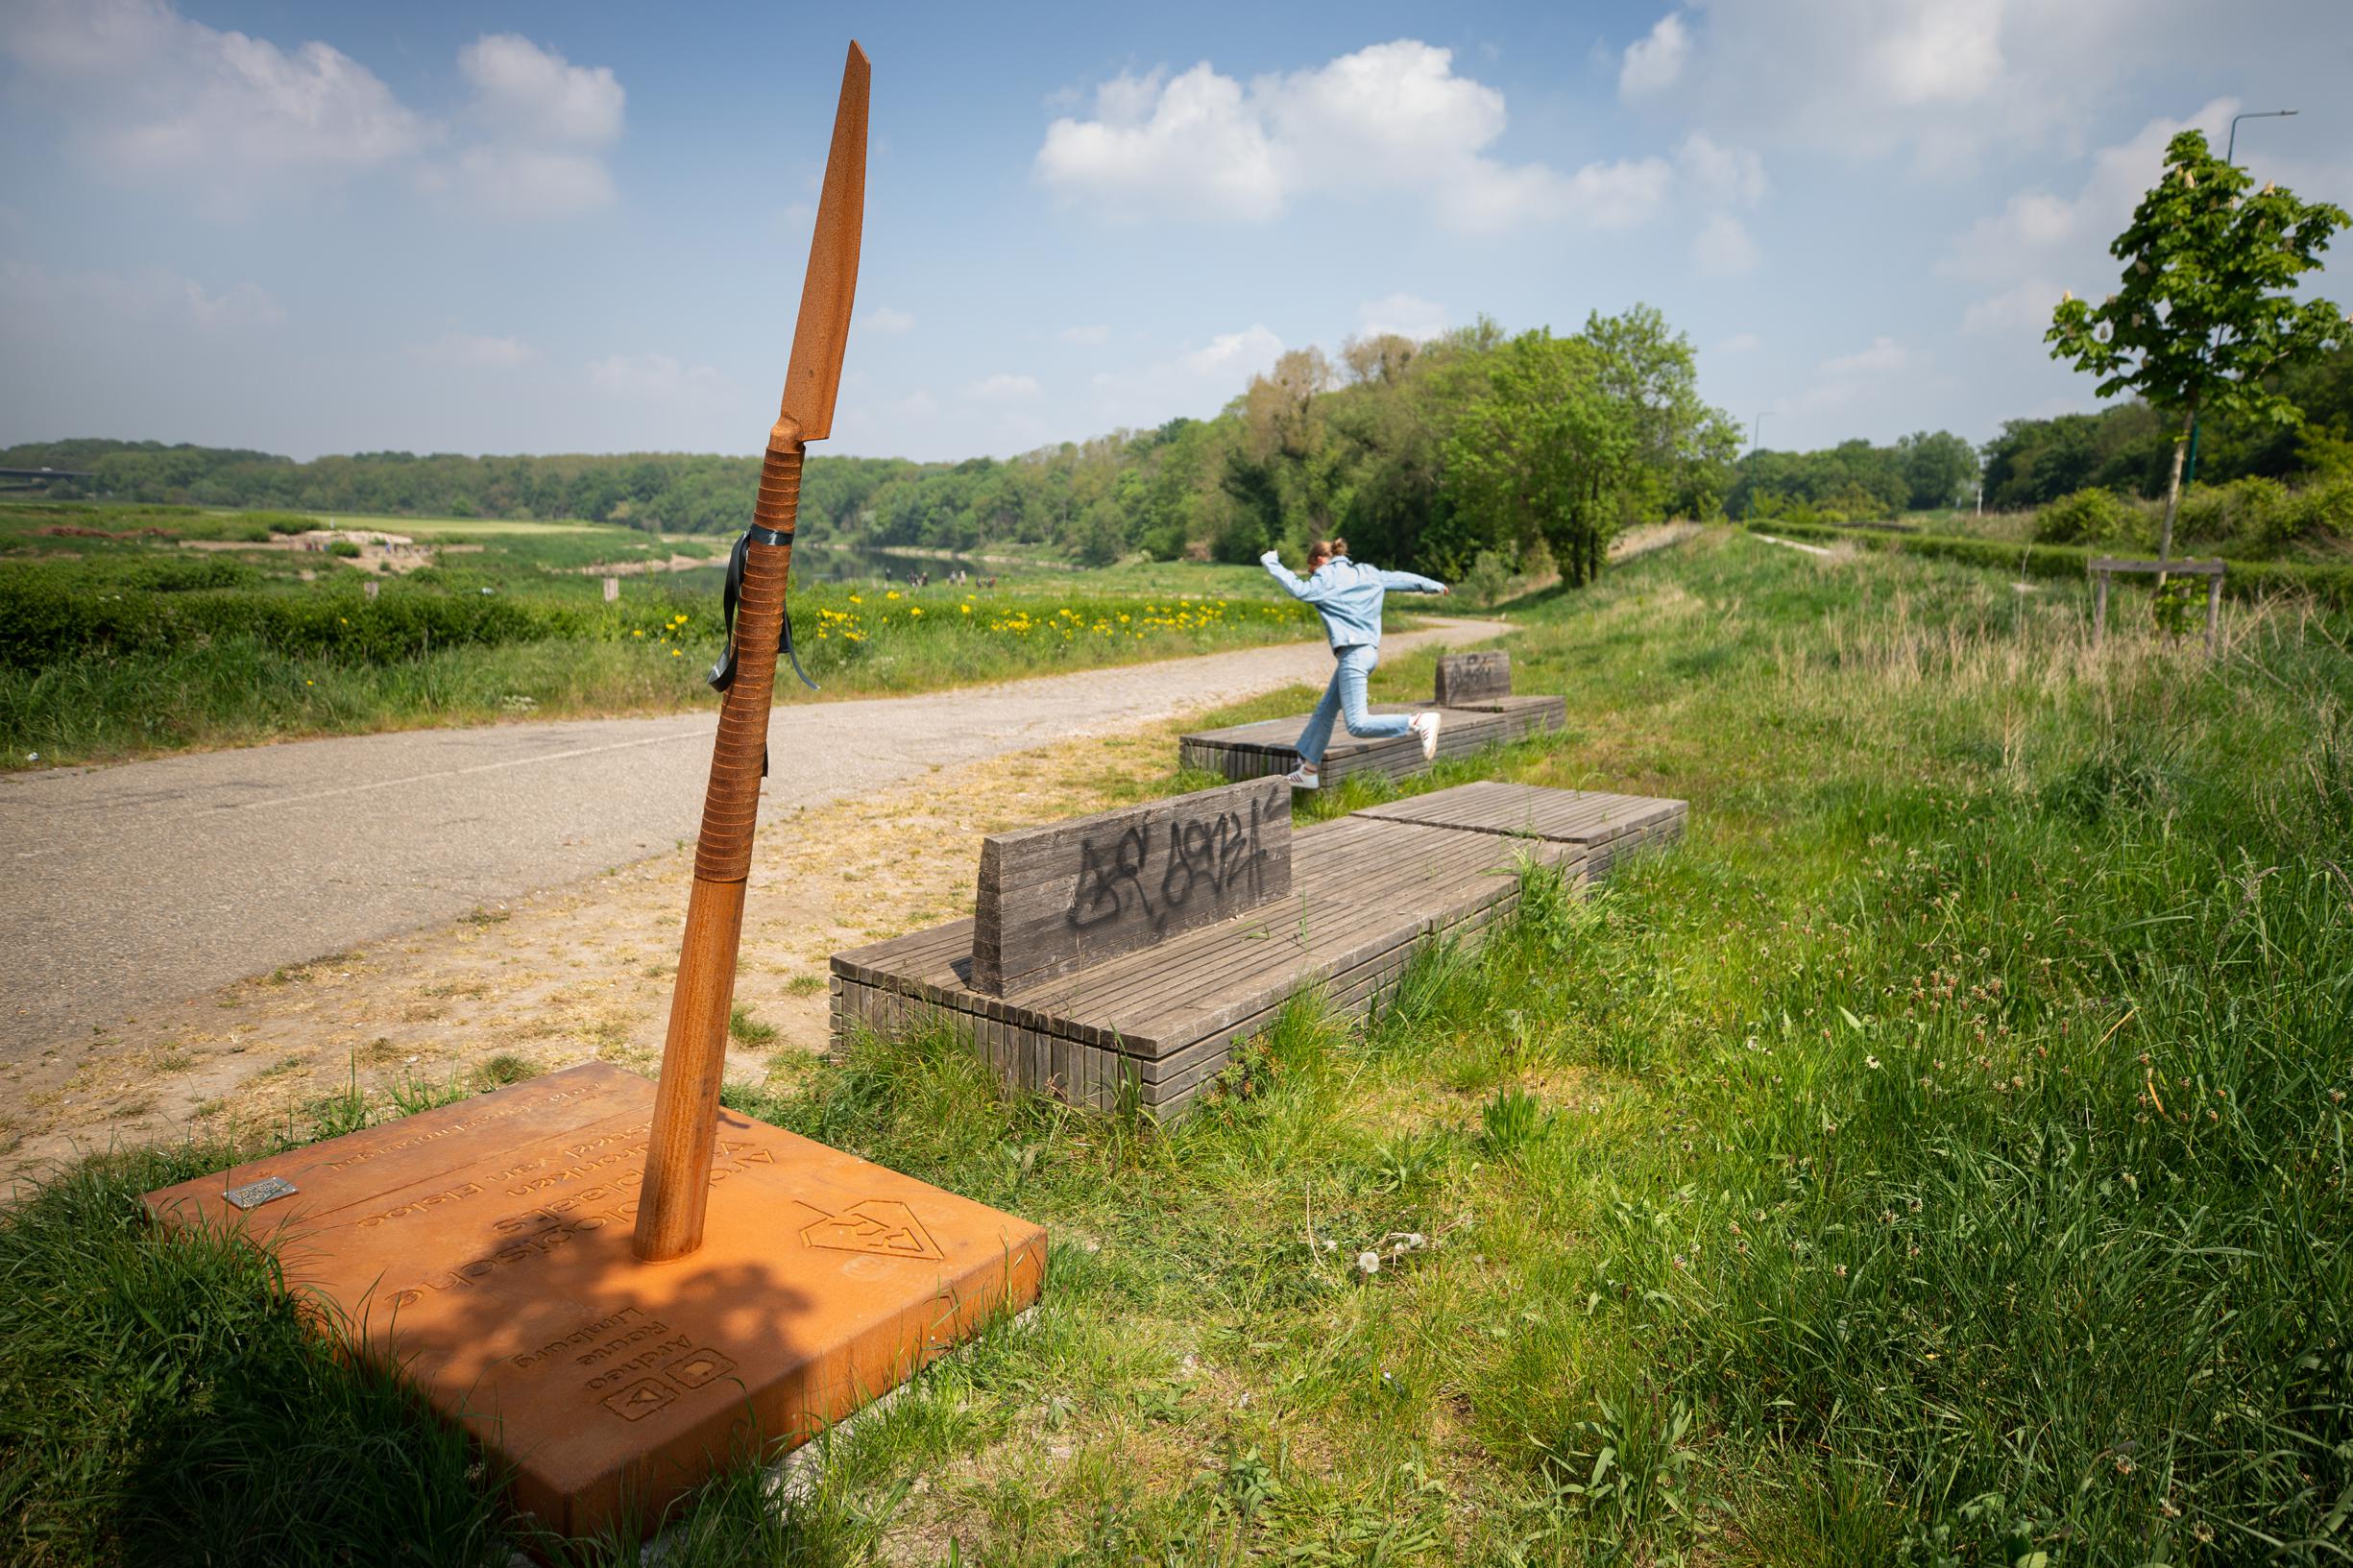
(566, 974)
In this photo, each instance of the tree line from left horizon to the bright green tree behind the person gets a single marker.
(1422, 455)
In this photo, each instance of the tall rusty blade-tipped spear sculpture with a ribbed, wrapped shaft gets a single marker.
(695, 1054)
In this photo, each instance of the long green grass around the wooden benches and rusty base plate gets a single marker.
(1938, 1158)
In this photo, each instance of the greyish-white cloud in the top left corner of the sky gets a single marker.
(154, 95)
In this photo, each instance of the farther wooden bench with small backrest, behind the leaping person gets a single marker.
(1474, 711)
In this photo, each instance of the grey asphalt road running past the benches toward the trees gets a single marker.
(164, 880)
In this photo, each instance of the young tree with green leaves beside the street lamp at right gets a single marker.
(2208, 302)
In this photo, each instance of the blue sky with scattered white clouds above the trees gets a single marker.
(582, 229)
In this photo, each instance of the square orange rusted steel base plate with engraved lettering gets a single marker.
(486, 1245)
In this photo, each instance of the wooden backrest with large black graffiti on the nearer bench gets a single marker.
(1069, 894)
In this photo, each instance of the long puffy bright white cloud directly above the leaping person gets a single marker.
(1385, 121)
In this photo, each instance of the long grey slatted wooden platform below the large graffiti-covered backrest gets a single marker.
(1161, 1024)
